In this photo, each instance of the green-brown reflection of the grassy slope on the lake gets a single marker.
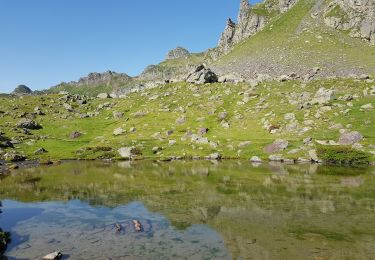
(266, 211)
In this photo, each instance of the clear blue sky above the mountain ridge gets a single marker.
(45, 42)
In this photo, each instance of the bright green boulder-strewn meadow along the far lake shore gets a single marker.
(198, 102)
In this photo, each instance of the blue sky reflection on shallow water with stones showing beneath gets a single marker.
(86, 232)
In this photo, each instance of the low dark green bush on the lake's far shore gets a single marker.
(342, 154)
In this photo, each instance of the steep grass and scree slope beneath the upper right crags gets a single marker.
(281, 38)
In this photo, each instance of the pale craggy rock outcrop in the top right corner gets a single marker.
(355, 16)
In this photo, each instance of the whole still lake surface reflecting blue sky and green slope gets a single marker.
(190, 210)
